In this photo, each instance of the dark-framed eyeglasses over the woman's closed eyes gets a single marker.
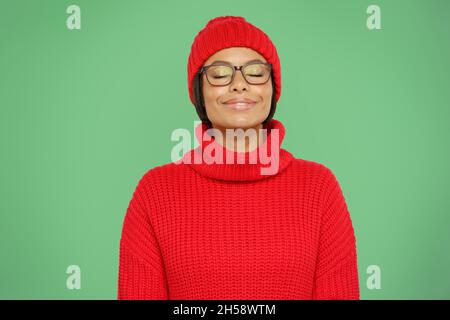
(222, 74)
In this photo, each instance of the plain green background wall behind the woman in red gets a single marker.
(85, 113)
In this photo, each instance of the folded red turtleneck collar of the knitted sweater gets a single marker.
(213, 160)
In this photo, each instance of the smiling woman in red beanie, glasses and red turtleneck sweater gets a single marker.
(222, 229)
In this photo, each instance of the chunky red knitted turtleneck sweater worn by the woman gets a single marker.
(225, 231)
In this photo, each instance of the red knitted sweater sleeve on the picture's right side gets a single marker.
(336, 276)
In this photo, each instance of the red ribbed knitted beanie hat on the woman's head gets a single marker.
(231, 31)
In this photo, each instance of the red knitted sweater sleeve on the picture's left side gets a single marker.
(141, 269)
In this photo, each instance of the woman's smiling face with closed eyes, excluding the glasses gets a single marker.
(220, 109)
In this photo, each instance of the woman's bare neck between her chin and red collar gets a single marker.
(239, 139)
